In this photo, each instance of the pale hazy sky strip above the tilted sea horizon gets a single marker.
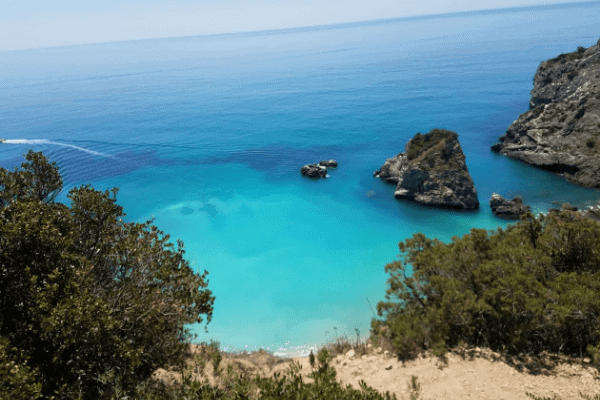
(44, 23)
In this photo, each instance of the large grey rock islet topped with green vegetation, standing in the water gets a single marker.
(432, 171)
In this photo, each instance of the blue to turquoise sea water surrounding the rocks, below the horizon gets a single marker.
(207, 135)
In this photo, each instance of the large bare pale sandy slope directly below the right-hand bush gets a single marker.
(477, 377)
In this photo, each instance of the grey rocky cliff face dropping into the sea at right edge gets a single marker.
(561, 131)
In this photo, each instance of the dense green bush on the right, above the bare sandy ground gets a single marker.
(530, 288)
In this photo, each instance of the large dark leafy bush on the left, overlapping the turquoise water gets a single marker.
(88, 302)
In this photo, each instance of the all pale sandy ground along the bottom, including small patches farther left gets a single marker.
(476, 374)
